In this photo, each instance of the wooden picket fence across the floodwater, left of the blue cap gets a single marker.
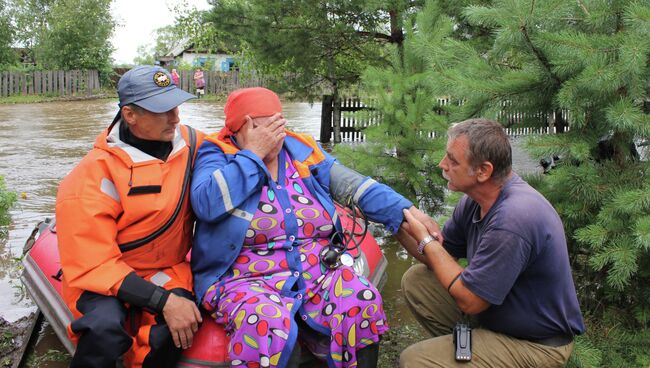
(53, 82)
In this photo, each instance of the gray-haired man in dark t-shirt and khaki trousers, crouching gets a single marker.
(517, 287)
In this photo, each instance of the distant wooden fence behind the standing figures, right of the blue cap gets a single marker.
(219, 82)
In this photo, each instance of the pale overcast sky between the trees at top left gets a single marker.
(136, 21)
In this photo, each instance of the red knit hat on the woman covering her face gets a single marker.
(255, 102)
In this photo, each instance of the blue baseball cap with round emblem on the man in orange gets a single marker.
(151, 88)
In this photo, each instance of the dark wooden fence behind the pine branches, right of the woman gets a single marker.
(351, 125)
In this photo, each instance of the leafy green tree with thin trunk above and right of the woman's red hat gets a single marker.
(308, 45)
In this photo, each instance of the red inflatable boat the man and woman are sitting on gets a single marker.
(42, 278)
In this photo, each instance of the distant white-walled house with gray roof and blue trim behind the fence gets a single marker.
(196, 58)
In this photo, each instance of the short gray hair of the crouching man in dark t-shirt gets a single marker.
(487, 142)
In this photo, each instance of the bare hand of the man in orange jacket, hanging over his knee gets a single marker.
(183, 318)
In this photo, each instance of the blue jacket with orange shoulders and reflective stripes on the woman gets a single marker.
(226, 188)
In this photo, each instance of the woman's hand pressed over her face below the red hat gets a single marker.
(262, 139)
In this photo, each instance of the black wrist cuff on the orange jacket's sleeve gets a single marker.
(141, 293)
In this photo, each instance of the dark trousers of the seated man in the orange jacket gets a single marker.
(104, 338)
